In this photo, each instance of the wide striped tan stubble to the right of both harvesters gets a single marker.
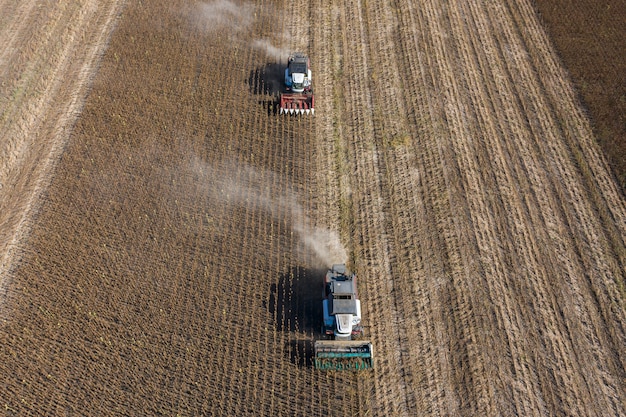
(509, 239)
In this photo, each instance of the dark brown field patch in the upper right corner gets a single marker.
(589, 37)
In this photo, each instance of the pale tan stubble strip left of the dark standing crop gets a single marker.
(48, 57)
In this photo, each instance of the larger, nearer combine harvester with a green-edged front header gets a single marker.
(342, 324)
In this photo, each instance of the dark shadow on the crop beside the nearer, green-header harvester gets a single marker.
(295, 302)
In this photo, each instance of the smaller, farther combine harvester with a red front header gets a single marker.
(298, 95)
